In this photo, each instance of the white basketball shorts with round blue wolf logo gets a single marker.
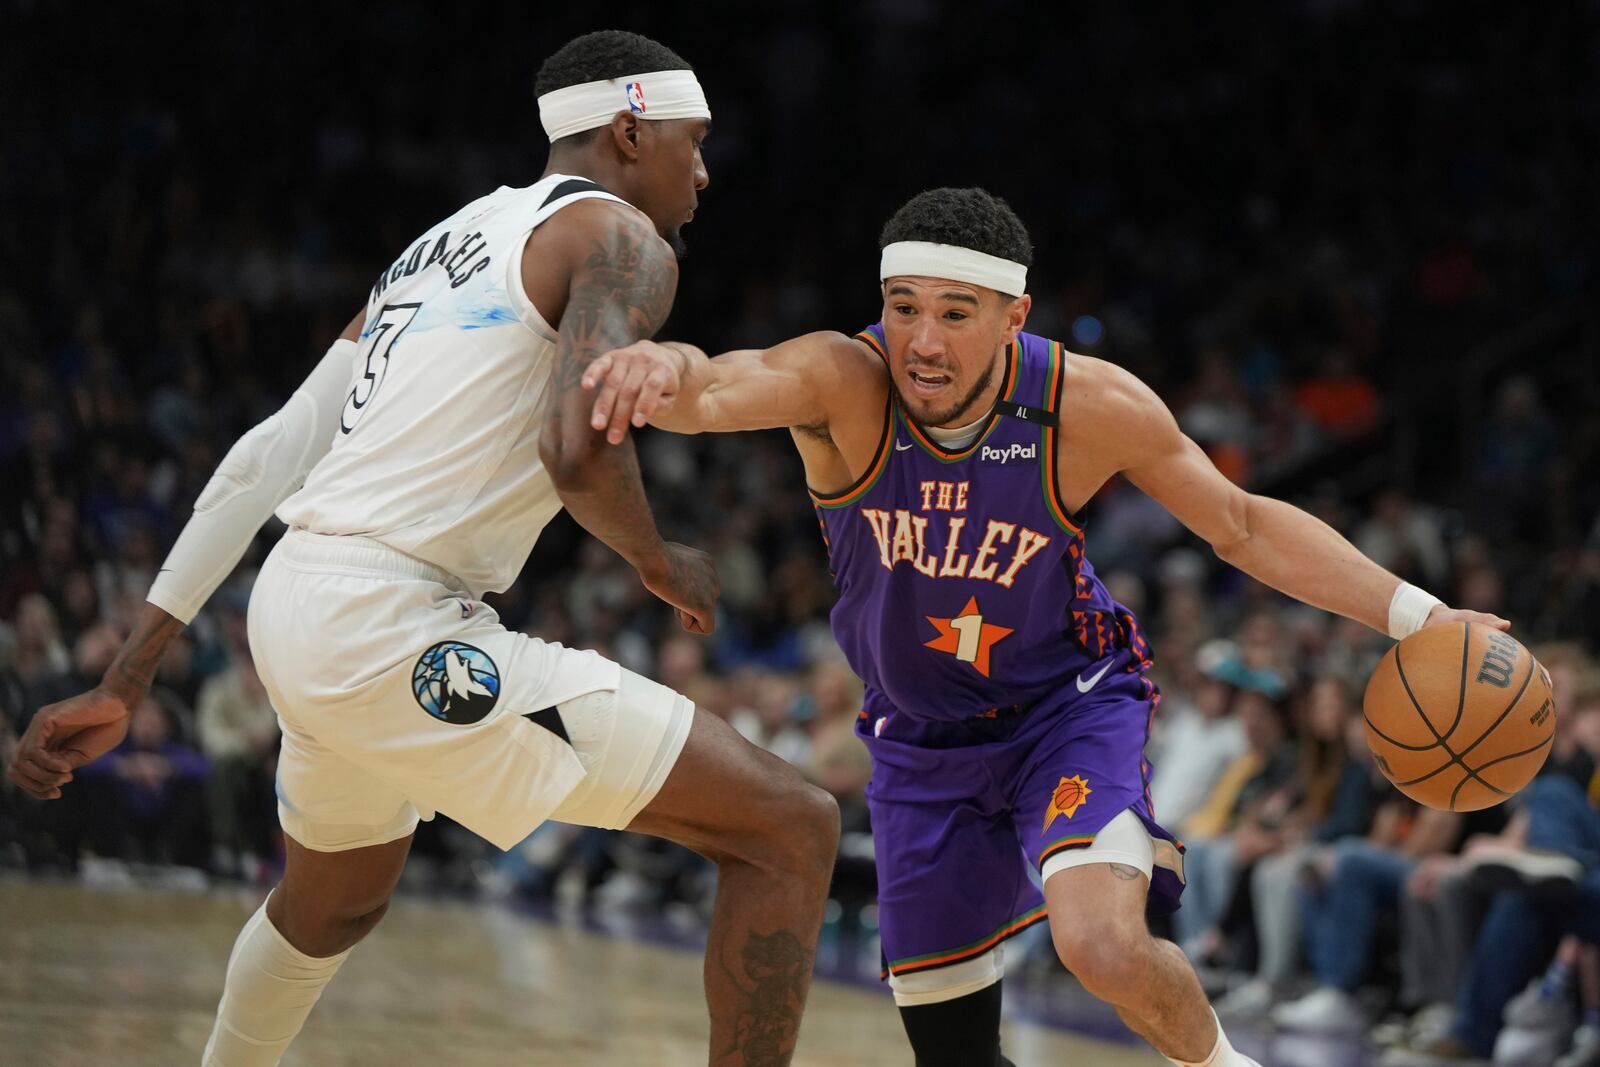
(401, 697)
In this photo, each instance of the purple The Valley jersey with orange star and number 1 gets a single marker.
(962, 578)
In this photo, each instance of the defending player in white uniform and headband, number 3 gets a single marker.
(415, 470)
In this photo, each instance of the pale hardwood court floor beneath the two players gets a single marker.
(130, 978)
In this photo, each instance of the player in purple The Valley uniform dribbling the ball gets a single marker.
(1007, 700)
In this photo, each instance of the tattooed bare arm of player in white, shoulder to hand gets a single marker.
(622, 281)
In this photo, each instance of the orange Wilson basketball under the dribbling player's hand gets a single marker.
(1460, 717)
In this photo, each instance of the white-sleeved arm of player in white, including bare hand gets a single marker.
(263, 468)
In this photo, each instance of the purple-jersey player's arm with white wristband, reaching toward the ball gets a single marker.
(1274, 543)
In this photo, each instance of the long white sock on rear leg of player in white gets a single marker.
(271, 988)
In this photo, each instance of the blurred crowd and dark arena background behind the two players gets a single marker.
(1372, 297)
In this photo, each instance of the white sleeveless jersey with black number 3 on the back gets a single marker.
(438, 452)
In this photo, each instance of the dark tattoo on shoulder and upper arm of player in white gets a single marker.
(623, 294)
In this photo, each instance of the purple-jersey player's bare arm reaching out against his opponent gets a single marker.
(678, 388)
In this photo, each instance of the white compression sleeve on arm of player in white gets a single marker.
(263, 468)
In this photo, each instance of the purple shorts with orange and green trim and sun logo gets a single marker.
(962, 809)
